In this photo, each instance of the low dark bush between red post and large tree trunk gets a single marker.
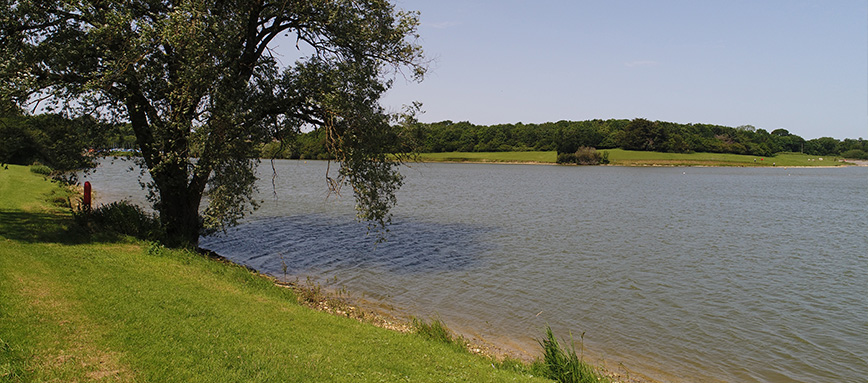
(120, 217)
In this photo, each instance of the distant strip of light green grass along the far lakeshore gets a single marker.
(621, 157)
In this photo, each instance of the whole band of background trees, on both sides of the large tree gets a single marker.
(61, 142)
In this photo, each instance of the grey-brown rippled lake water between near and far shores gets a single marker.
(679, 274)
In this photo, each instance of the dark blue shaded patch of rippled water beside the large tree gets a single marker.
(323, 244)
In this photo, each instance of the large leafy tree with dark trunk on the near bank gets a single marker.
(200, 84)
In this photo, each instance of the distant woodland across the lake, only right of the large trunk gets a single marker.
(570, 136)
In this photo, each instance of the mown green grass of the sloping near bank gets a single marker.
(76, 308)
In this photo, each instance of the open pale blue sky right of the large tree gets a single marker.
(798, 65)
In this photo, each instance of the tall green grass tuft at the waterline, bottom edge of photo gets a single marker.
(564, 365)
